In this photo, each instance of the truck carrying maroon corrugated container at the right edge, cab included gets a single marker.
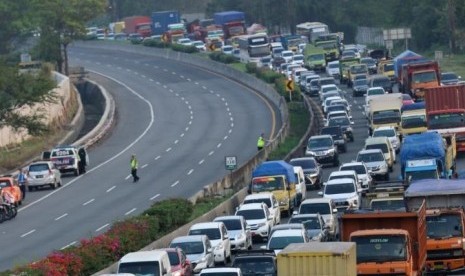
(445, 111)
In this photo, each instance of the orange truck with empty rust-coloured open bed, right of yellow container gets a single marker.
(387, 242)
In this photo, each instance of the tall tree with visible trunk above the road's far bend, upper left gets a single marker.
(61, 22)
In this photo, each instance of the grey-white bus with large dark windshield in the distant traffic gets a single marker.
(254, 47)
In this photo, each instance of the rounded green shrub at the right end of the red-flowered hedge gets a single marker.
(171, 213)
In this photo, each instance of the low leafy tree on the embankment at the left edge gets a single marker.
(24, 90)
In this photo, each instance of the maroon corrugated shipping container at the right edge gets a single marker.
(445, 97)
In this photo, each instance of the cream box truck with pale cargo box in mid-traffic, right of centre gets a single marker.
(384, 110)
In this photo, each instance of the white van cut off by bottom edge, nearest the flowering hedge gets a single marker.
(145, 263)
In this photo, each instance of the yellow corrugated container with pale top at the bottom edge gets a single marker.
(318, 259)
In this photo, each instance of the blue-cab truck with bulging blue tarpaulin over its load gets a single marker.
(427, 156)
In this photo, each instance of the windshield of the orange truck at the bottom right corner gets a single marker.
(444, 226)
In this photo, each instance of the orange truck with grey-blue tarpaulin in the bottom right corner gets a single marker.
(445, 222)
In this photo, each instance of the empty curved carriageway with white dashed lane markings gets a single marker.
(180, 121)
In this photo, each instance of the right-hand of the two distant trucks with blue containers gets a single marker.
(232, 23)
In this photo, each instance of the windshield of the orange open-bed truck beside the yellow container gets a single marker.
(380, 248)
